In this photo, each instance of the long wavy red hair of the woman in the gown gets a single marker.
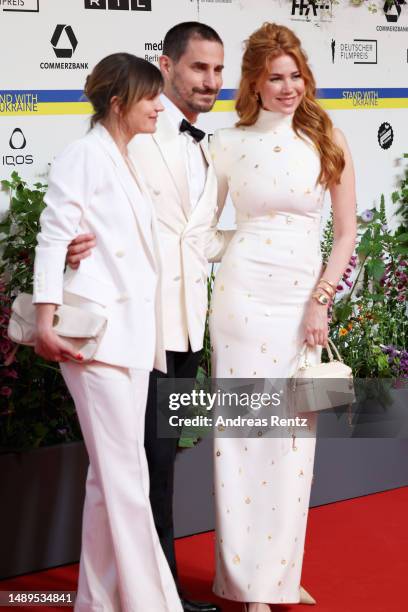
(265, 44)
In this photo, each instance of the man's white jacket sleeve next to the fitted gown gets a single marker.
(218, 240)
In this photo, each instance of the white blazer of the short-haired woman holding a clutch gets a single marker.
(91, 189)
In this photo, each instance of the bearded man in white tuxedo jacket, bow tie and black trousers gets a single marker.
(175, 165)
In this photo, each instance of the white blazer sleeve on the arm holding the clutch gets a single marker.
(71, 183)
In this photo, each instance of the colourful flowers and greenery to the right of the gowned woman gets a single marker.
(369, 317)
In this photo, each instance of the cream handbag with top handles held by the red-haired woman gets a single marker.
(322, 386)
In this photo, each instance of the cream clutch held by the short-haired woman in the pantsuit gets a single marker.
(82, 329)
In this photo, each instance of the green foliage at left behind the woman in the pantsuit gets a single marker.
(35, 407)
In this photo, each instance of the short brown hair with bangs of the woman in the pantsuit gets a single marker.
(124, 75)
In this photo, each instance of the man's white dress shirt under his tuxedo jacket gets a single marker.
(195, 162)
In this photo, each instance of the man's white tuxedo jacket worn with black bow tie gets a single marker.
(188, 238)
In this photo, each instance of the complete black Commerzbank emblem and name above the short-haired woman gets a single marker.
(64, 43)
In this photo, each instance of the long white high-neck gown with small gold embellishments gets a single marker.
(268, 272)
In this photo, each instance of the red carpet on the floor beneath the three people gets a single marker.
(356, 559)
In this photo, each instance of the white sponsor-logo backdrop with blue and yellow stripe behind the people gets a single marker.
(358, 51)
